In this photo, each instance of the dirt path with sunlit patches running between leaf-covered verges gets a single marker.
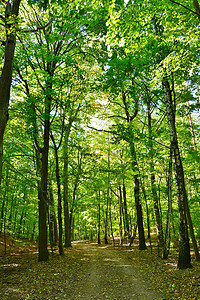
(111, 275)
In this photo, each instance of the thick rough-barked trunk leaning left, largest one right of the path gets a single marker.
(184, 260)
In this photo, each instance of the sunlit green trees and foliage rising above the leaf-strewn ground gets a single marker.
(99, 127)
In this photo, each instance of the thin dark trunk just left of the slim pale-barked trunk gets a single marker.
(152, 176)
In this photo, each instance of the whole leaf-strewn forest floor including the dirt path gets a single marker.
(91, 271)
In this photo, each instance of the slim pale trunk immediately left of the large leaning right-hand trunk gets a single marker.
(166, 245)
